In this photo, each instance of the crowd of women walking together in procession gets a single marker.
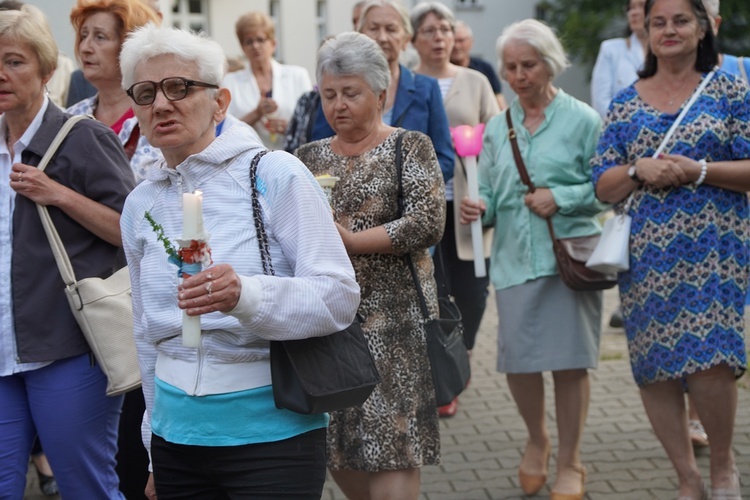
(169, 121)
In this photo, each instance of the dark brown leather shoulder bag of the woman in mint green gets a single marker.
(571, 254)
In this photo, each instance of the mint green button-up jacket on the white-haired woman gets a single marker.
(557, 157)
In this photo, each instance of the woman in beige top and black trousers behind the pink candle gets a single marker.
(468, 100)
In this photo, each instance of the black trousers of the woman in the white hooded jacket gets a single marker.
(294, 468)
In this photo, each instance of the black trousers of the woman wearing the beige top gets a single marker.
(457, 277)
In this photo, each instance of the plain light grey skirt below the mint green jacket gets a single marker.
(546, 326)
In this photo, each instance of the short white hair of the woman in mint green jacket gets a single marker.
(539, 36)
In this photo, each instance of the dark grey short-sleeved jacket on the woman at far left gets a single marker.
(90, 161)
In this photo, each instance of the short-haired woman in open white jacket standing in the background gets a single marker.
(265, 93)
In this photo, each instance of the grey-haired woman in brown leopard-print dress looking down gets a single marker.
(376, 450)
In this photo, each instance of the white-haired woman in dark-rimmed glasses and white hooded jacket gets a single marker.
(211, 424)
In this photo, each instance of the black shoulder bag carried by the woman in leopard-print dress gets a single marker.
(446, 348)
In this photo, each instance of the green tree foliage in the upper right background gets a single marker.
(583, 24)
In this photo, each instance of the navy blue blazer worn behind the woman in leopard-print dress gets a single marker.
(418, 106)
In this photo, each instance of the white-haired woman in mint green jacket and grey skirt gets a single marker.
(543, 324)
